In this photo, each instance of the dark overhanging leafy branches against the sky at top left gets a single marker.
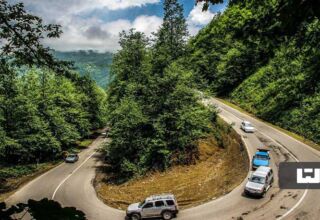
(21, 34)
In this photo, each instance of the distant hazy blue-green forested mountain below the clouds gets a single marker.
(90, 62)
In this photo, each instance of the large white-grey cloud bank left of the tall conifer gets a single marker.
(81, 32)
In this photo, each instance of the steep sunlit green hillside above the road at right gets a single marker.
(286, 90)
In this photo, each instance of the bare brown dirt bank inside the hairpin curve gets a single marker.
(216, 172)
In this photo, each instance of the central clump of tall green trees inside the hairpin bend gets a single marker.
(154, 113)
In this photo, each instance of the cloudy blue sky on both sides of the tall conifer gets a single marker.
(95, 24)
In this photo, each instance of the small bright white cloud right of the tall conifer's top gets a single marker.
(198, 18)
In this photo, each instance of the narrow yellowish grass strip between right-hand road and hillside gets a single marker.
(291, 134)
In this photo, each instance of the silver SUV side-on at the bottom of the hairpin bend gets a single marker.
(164, 206)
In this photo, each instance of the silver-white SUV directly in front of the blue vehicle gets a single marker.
(259, 182)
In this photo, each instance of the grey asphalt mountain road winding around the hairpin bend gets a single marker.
(72, 184)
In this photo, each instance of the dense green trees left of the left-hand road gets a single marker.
(42, 114)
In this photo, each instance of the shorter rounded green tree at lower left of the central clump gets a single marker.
(126, 151)
